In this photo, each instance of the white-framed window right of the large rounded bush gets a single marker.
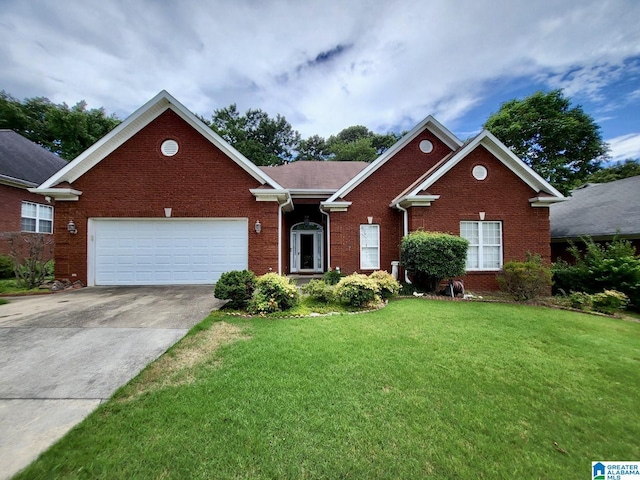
(485, 244)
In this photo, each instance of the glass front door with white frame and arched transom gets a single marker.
(307, 248)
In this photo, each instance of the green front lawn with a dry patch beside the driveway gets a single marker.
(418, 389)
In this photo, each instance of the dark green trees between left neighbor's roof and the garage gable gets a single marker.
(65, 131)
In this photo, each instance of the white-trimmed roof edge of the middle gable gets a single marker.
(428, 123)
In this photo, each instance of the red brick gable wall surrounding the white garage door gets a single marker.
(137, 181)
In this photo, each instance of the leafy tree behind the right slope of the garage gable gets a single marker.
(260, 138)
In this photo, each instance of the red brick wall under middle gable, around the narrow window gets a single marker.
(372, 198)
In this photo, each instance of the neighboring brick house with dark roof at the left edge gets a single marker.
(24, 165)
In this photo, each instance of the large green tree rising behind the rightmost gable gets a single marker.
(561, 143)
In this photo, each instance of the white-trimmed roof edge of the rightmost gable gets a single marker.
(546, 193)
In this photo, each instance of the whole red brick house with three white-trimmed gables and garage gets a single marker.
(162, 199)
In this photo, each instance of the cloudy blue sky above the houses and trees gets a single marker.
(326, 65)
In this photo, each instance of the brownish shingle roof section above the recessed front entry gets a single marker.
(314, 175)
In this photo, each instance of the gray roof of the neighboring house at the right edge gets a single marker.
(598, 210)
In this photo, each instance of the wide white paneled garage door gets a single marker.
(167, 251)
